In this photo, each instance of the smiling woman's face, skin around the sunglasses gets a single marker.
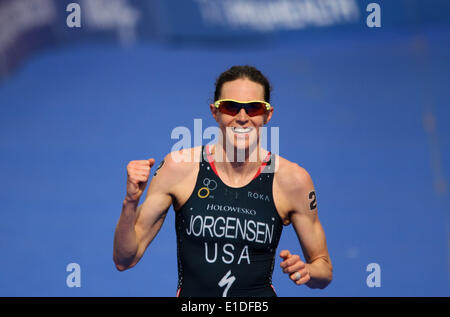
(241, 131)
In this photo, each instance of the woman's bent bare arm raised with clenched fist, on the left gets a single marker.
(138, 225)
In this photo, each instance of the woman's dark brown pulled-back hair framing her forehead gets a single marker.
(246, 71)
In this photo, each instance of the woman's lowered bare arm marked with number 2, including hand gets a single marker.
(317, 272)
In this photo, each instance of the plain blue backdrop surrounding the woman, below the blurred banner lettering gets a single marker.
(364, 111)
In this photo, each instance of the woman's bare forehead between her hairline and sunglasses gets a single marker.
(242, 89)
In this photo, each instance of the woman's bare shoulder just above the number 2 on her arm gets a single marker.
(291, 177)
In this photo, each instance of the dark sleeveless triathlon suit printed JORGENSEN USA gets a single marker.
(227, 237)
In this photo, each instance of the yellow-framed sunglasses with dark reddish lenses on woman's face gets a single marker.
(252, 107)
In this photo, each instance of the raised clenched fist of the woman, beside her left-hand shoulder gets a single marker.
(138, 173)
